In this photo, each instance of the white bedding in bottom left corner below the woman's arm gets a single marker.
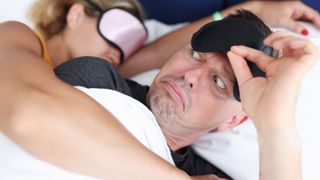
(17, 164)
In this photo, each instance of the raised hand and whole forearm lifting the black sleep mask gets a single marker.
(270, 101)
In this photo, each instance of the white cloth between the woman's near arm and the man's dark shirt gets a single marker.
(135, 116)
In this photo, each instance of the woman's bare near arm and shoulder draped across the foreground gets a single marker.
(61, 125)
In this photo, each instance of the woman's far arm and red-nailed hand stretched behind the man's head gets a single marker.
(156, 54)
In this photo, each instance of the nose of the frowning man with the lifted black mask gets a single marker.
(193, 76)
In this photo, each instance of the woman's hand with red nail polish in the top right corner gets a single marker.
(286, 14)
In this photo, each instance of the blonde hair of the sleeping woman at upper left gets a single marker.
(49, 16)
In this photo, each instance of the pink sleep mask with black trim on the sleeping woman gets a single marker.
(121, 29)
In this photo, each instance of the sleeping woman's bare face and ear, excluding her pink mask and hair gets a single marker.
(85, 40)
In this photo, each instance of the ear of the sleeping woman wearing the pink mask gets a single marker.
(75, 15)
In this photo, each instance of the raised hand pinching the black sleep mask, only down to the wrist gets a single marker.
(270, 101)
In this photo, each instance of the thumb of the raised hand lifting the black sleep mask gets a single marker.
(240, 68)
